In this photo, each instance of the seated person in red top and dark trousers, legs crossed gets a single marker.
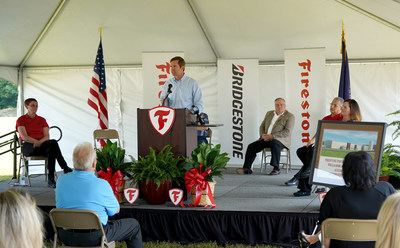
(34, 133)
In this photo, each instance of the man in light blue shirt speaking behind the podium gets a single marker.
(181, 91)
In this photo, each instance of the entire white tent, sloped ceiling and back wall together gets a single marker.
(52, 44)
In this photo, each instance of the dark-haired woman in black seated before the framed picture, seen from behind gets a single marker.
(361, 198)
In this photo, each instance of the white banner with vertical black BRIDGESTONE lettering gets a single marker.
(238, 106)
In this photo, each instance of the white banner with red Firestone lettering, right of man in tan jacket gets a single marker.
(305, 91)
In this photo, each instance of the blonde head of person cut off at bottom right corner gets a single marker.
(389, 223)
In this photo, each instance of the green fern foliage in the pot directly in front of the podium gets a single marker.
(158, 167)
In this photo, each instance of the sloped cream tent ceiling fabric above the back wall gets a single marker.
(260, 29)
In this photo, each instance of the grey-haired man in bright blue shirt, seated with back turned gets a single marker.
(81, 189)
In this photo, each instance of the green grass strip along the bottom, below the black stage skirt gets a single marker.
(176, 245)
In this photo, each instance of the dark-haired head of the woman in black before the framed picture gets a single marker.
(359, 171)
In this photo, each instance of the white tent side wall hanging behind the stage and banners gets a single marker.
(62, 96)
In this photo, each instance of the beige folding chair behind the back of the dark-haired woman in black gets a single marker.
(348, 230)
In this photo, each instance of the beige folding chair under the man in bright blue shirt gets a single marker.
(77, 219)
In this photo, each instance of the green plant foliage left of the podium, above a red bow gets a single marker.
(113, 156)
